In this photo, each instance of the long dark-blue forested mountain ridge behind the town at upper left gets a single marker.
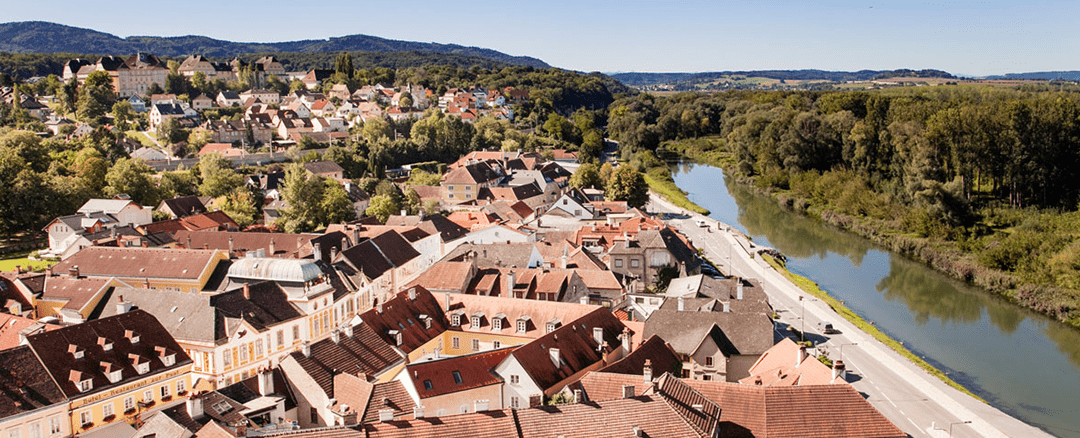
(44, 37)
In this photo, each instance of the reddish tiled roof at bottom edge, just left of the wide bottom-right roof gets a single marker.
(617, 418)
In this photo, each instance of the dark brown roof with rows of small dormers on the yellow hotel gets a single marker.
(56, 350)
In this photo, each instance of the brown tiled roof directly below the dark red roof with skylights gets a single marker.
(364, 352)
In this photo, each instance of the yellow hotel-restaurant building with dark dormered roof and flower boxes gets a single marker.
(114, 368)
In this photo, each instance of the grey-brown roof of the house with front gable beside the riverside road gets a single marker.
(745, 334)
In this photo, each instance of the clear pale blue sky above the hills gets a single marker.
(969, 38)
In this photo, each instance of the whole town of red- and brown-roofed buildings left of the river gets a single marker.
(518, 291)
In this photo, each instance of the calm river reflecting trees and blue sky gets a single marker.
(1022, 363)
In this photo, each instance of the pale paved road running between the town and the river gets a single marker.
(916, 402)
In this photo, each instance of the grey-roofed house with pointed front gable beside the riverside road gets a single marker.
(713, 346)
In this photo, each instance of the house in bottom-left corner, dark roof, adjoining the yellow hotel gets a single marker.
(32, 403)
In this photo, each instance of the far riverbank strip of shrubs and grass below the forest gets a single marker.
(1057, 303)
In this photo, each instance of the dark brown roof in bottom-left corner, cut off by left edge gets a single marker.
(25, 384)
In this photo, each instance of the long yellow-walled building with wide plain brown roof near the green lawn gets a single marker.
(182, 270)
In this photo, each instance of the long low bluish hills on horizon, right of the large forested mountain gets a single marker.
(633, 79)
